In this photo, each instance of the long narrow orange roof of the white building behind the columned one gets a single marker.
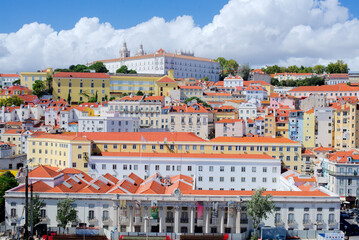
(186, 155)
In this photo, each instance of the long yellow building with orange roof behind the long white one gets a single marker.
(72, 149)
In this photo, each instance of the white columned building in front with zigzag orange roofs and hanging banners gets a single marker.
(107, 202)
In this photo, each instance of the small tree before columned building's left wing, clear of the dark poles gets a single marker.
(66, 212)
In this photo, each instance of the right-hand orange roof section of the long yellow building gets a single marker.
(253, 140)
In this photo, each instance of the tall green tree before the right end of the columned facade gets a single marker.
(259, 208)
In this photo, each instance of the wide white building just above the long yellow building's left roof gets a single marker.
(108, 124)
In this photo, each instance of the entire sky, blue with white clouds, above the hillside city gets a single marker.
(56, 34)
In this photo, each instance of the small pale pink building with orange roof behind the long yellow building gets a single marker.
(230, 127)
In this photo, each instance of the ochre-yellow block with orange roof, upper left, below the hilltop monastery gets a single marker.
(81, 86)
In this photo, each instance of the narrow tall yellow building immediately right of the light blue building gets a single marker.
(309, 129)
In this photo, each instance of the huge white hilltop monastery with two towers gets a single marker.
(186, 65)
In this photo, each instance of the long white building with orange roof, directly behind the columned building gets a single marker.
(210, 172)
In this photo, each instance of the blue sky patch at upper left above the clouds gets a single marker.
(120, 13)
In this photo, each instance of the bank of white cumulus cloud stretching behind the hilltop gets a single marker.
(258, 32)
